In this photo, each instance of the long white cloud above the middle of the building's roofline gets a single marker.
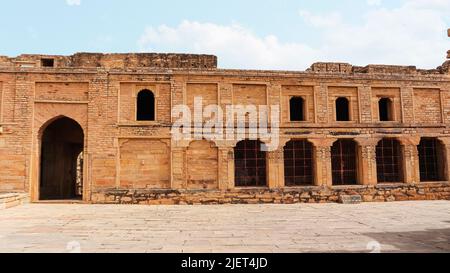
(236, 46)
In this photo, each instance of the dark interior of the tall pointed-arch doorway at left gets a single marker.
(61, 161)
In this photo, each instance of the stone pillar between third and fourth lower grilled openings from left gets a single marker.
(367, 162)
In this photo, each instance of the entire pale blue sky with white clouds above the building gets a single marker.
(244, 34)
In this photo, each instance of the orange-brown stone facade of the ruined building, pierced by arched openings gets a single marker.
(127, 161)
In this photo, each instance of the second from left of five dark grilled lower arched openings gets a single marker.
(298, 163)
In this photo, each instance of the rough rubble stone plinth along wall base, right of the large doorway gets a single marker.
(378, 193)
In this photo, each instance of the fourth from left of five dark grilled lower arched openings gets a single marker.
(389, 168)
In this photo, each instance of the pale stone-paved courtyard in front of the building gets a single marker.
(396, 227)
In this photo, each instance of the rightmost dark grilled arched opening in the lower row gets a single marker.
(430, 160)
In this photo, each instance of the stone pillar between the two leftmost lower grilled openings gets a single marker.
(275, 169)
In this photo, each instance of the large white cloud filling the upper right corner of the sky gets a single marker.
(413, 34)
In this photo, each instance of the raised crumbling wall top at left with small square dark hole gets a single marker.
(119, 61)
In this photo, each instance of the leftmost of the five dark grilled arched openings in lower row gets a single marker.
(250, 164)
